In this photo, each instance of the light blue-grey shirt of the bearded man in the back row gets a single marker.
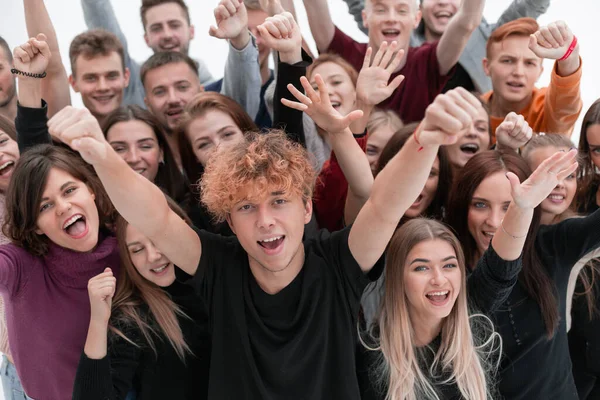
(241, 80)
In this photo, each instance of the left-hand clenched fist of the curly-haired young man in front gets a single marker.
(79, 129)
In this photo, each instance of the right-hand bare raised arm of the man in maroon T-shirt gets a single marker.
(457, 34)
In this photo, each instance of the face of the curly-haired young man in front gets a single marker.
(271, 230)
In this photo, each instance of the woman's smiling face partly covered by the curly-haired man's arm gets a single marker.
(147, 259)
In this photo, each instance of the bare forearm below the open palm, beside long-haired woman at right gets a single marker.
(509, 239)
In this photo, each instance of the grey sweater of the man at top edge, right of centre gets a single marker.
(474, 53)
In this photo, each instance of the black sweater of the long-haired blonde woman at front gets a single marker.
(488, 287)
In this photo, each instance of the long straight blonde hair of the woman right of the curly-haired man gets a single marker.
(467, 361)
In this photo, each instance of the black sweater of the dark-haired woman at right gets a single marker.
(533, 366)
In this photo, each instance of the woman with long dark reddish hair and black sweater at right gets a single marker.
(532, 322)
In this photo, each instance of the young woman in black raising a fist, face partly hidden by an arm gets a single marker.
(150, 327)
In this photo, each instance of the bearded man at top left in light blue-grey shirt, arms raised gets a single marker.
(167, 27)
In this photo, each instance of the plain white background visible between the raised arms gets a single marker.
(581, 15)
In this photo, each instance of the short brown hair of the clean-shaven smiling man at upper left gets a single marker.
(93, 43)
